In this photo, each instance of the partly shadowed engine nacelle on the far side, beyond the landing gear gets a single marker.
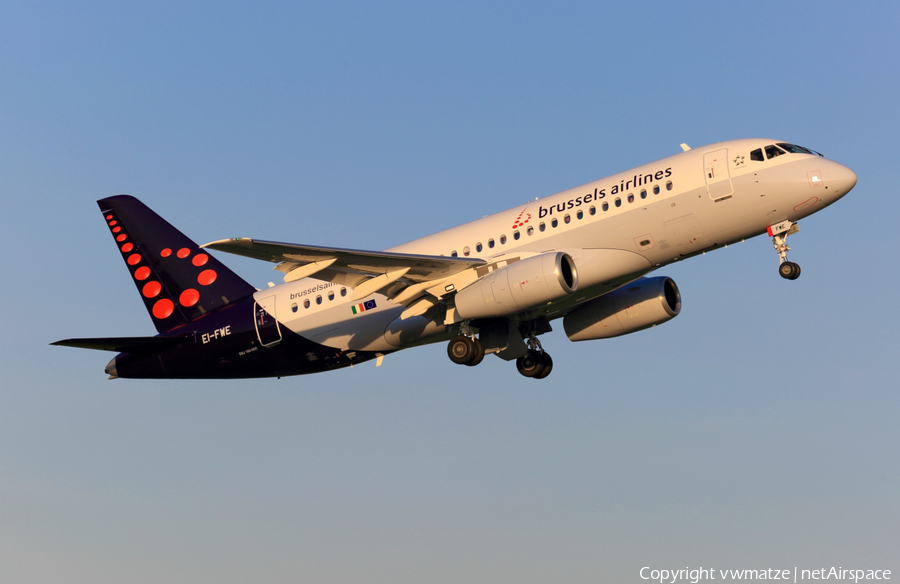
(644, 303)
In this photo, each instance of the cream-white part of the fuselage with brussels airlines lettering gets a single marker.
(661, 212)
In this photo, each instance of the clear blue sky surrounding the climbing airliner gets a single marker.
(758, 429)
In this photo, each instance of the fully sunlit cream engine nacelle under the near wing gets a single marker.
(519, 286)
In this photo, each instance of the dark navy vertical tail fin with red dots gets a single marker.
(177, 280)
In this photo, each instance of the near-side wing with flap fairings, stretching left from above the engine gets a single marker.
(403, 277)
